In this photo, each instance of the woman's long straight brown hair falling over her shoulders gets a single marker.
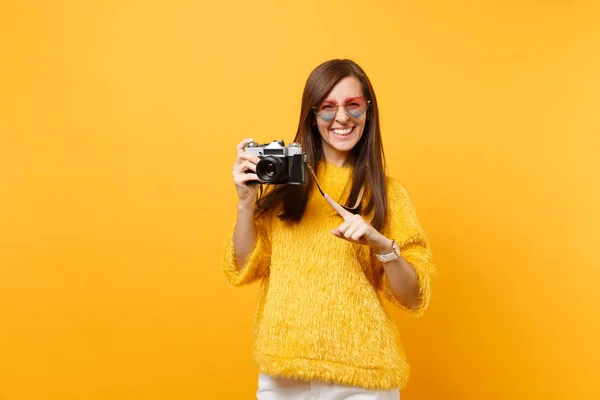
(368, 158)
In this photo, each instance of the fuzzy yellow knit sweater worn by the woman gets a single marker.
(319, 314)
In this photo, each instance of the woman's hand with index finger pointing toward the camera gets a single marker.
(356, 230)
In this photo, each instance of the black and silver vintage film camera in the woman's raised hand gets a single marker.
(278, 164)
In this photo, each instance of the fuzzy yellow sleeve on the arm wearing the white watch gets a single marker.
(403, 226)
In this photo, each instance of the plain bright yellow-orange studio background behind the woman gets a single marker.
(118, 121)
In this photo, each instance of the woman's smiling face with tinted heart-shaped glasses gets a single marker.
(341, 120)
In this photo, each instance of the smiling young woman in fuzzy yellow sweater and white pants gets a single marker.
(320, 326)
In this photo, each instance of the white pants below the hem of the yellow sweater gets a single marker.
(274, 388)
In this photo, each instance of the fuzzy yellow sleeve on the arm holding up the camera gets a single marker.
(257, 262)
